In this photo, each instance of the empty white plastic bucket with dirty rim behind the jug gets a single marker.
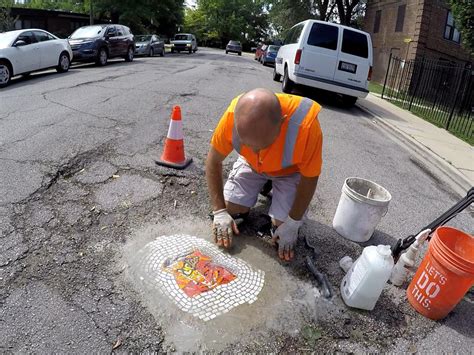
(362, 205)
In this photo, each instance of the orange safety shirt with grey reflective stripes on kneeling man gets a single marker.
(298, 148)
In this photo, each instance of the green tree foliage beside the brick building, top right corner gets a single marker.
(463, 13)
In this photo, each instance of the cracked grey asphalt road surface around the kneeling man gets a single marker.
(79, 186)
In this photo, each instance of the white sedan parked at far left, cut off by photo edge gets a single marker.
(26, 51)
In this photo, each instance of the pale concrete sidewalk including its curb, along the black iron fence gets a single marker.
(450, 154)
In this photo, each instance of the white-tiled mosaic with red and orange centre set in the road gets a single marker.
(198, 277)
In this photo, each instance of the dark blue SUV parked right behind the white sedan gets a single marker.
(98, 43)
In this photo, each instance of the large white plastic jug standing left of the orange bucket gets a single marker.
(364, 282)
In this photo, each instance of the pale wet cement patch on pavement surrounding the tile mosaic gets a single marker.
(285, 303)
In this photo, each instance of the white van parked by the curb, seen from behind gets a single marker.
(326, 56)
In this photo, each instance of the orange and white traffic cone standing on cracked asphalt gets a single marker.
(173, 154)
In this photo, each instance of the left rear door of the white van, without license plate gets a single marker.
(319, 55)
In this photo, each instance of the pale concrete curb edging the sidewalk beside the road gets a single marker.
(460, 185)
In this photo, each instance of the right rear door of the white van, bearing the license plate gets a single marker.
(354, 59)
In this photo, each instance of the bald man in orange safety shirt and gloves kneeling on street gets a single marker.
(278, 138)
